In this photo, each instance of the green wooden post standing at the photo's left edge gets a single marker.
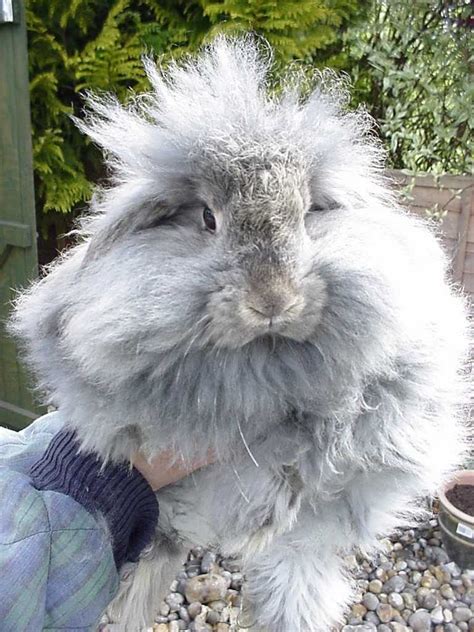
(18, 255)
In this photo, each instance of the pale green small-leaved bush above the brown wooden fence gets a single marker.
(412, 63)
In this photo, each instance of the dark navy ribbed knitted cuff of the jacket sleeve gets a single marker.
(116, 491)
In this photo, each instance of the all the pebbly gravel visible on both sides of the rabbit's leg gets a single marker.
(411, 586)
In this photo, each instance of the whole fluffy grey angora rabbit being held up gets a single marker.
(247, 285)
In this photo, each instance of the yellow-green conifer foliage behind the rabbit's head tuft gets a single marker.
(98, 44)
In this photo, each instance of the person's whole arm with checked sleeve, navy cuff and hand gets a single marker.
(67, 523)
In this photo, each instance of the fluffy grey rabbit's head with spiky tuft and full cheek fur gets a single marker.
(246, 255)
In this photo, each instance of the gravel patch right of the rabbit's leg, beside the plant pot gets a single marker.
(413, 586)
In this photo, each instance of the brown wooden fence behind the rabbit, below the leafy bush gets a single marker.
(449, 200)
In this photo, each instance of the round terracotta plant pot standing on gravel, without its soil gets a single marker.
(457, 527)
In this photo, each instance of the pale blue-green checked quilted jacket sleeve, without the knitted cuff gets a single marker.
(57, 568)
